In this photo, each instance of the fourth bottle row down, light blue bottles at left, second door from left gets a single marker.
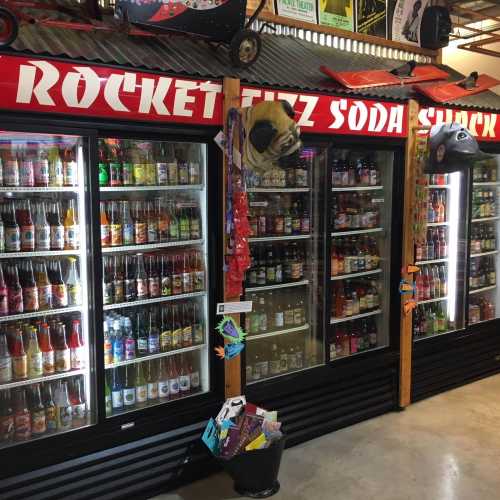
(159, 329)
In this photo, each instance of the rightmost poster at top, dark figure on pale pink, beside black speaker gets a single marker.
(406, 21)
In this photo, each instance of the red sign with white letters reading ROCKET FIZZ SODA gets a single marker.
(38, 85)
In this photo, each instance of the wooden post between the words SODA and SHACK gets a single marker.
(406, 340)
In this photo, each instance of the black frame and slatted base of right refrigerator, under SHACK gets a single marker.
(458, 358)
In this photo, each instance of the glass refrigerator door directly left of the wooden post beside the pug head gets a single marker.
(153, 204)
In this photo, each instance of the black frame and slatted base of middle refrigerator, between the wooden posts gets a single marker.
(336, 394)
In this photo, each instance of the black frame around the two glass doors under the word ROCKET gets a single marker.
(107, 433)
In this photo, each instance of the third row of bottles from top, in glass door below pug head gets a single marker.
(272, 265)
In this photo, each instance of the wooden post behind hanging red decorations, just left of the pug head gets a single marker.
(232, 368)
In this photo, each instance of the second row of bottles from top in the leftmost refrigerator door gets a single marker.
(38, 226)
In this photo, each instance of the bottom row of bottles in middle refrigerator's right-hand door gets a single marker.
(353, 337)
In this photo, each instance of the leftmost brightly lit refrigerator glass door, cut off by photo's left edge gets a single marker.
(46, 386)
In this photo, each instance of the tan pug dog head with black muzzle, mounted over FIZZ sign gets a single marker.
(272, 136)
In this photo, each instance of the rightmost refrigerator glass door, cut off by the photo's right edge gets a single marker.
(484, 295)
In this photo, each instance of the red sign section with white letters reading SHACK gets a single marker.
(484, 126)
